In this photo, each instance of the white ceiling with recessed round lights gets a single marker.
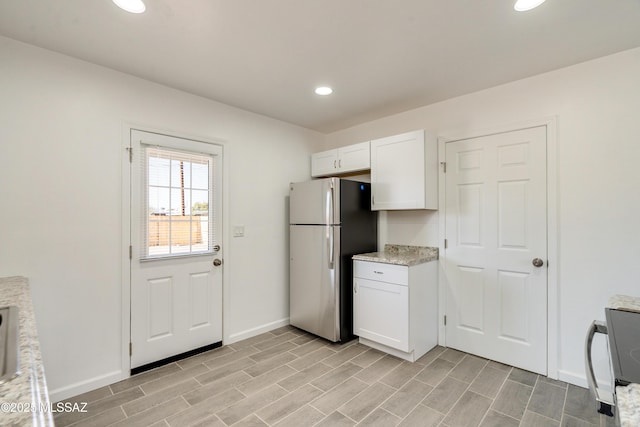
(380, 56)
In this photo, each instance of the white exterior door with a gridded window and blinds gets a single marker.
(176, 229)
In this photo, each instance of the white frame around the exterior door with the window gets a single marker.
(125, 261)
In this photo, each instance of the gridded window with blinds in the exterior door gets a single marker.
(177, 217)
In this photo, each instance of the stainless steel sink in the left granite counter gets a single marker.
(9, 343)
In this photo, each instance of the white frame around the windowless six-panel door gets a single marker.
(552, 226)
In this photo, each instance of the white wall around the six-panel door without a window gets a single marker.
(597, 105)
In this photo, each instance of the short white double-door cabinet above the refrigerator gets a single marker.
(342, 160)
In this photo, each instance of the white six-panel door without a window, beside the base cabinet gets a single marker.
(496, 230)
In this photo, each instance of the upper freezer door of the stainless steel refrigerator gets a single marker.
(315, 202)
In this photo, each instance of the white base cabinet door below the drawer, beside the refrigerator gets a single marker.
(381, 312)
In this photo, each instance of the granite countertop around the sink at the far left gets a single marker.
(24, 400)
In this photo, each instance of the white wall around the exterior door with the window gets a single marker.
(61, 127)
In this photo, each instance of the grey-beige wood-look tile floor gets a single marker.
(289, 378)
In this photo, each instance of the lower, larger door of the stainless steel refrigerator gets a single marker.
(314, 279)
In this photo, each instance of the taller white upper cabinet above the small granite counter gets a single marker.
(404, 172)
